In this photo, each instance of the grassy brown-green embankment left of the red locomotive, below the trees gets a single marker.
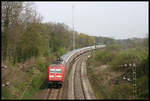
(26, 78)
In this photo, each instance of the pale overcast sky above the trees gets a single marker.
(119, 20)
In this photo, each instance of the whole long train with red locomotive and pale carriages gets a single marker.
(56, 70)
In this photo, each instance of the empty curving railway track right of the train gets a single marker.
(79, 87)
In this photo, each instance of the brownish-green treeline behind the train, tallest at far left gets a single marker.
(24, 35)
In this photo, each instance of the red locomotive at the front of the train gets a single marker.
(56, 75)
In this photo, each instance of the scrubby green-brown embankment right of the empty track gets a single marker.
(108, 82)
